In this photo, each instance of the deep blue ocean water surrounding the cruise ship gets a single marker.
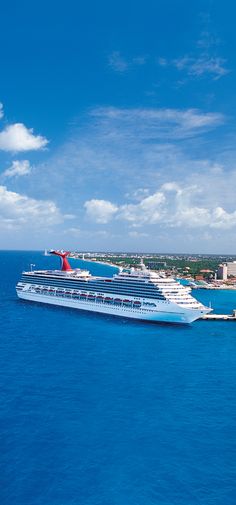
(96, 410)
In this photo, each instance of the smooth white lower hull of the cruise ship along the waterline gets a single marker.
(166, 313)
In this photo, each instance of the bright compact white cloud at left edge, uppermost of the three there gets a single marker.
(17, 137)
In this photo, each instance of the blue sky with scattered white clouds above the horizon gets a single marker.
(117, 125)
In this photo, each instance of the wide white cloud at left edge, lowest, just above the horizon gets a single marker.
(18, 210)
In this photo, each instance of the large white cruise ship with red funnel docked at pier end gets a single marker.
(134, 293)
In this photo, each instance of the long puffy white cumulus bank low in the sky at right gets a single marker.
(171, 206)
